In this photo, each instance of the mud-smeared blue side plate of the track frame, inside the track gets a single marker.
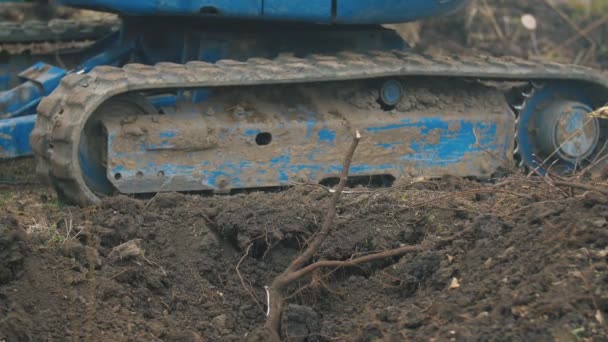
(181, 152)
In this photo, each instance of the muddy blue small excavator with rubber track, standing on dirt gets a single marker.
(218, 95)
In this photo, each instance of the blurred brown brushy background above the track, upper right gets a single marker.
(572, 31)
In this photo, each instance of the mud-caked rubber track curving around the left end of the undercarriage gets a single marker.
(63, 114)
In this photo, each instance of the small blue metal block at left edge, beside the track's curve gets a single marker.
(14, 136)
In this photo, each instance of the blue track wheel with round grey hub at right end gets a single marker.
(555, 132)
